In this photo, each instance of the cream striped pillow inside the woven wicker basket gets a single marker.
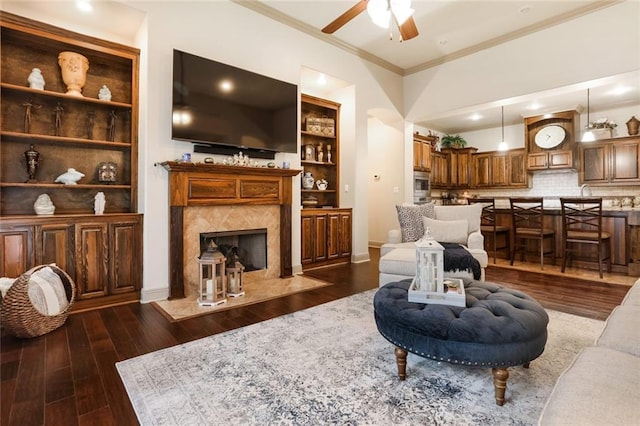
(46, 292)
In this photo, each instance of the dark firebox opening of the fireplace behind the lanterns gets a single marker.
(251, 246)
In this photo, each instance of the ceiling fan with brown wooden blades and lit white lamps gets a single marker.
(382, 12)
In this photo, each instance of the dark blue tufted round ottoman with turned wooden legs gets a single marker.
(499, 328)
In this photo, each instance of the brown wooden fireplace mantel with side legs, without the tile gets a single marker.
(200, 184)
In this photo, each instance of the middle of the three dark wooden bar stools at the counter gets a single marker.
(527, 217)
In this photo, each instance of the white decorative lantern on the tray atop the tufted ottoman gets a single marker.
(429, 266)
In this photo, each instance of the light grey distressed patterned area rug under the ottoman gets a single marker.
(329, 365)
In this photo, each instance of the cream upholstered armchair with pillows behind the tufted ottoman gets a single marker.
(451, 224)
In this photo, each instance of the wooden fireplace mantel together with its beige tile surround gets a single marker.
(212, 198)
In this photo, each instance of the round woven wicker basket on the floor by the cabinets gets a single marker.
(21, 319)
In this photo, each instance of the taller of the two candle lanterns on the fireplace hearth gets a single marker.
(213, 286)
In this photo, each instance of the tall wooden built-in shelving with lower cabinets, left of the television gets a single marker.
(97, 137)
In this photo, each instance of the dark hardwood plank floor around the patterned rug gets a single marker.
(68, 377)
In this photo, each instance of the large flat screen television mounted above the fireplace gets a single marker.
(223, 109)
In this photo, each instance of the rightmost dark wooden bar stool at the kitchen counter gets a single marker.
(582, 224)
